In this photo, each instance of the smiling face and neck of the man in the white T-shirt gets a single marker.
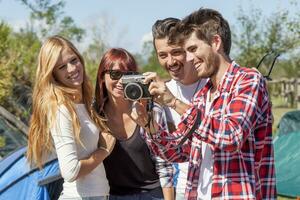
(173, 59)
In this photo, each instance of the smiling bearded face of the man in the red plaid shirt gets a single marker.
(202, 56)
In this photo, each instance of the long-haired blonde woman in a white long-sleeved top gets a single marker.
(63, 121)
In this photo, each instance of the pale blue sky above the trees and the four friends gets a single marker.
(130, 21)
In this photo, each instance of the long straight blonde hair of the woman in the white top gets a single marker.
(48, 95)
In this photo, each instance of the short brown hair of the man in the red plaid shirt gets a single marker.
(207, 23)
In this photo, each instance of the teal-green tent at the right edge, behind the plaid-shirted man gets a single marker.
(287, 155)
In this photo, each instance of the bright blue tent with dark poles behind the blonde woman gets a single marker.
(19, 181)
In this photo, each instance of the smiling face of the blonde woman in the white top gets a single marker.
(68, 70)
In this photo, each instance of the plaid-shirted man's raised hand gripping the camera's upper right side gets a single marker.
(158, 89)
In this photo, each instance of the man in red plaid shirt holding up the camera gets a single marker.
(226, 132)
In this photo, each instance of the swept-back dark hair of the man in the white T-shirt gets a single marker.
(164, 28)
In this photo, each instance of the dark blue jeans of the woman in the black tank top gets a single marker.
(155, 194)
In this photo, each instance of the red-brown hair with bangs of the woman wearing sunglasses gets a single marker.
(113, 56)
